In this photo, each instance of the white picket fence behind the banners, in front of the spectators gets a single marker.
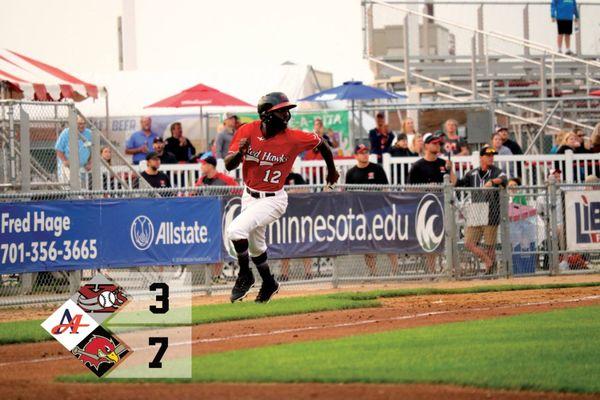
(533, 169)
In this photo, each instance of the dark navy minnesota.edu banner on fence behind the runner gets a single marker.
(328, 224)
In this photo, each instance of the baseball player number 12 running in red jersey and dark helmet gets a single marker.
(267, 149)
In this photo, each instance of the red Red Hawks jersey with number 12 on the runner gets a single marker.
(268, 162)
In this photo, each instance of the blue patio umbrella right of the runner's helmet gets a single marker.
(353, 91)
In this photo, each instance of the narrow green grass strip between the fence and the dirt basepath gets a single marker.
(31, 331)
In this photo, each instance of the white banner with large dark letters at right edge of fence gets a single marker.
(582, 220)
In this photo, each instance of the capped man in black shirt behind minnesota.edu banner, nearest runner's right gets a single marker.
(366, 172)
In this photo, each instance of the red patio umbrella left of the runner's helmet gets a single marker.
(199, 96)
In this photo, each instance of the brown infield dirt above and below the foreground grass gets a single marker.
(27, 370)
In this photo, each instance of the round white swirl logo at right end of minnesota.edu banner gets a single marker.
(429, 223)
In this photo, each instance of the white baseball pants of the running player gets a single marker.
(256, 215)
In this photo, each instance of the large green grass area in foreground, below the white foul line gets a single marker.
(553, 351)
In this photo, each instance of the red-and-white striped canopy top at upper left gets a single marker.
(22, 77)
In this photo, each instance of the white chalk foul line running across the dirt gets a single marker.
(312, 328)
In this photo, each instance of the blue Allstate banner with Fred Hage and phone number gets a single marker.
(66, 235)
